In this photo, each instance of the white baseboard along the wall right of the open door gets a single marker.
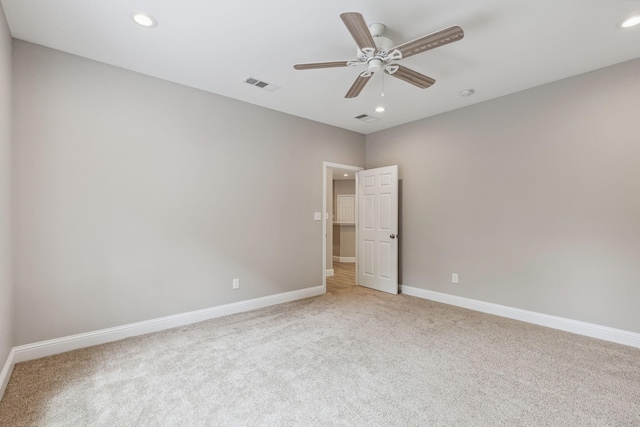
(619, 336)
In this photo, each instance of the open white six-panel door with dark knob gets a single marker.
(378, 229)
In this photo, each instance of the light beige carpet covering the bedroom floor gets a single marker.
(353, 357)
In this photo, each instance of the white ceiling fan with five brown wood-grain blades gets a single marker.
(378, 53)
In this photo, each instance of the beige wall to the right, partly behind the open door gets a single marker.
(533, 198)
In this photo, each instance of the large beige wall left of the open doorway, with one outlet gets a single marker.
(138, 198)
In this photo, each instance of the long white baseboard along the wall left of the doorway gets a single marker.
(59, 345)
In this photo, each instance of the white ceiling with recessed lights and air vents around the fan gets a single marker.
(213, 45)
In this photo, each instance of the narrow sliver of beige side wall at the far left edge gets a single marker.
(6, 298)
